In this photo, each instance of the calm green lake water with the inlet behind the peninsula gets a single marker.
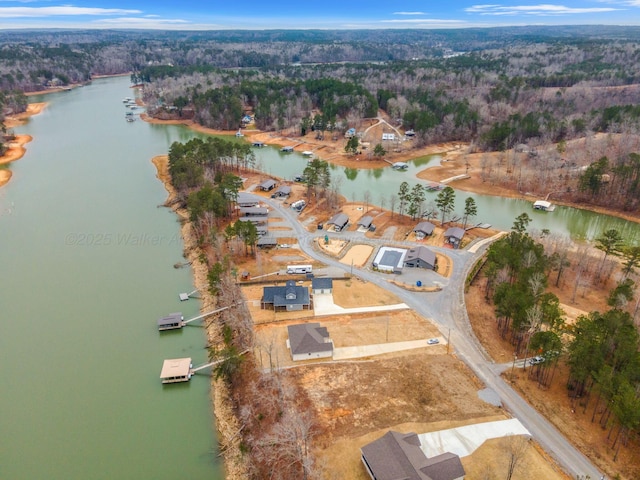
(87, 268)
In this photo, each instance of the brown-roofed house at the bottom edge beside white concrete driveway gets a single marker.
(397, 456)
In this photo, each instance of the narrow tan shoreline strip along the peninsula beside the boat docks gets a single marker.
(226, 422)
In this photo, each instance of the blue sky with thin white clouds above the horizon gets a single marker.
(305, 14)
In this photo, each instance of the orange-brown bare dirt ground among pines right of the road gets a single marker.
(553, 402)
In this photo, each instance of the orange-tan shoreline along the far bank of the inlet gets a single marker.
(451, 165)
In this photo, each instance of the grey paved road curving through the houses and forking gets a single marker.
(446, 308)
